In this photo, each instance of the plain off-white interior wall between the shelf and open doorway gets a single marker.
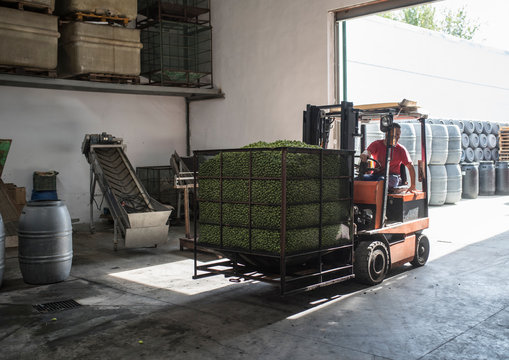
(270, 59)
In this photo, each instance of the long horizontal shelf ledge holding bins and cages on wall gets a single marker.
(76, 85)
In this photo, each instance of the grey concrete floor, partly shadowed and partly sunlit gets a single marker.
(142, 303)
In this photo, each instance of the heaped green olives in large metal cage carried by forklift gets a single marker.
(277, 198)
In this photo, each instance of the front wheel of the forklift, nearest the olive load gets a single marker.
(371, 262)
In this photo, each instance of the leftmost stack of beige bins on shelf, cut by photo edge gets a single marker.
(29, 38)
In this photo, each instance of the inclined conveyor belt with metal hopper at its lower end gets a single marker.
(141, 220)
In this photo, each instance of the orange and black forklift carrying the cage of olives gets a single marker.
(388, 226)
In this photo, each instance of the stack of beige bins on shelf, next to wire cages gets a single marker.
(97, 43)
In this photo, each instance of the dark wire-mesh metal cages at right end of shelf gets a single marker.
(177, 42)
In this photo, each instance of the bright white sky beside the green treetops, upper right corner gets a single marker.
(492, 16)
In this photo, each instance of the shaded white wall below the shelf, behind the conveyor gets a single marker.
(48, 127)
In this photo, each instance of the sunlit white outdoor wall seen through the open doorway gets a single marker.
(447, 76)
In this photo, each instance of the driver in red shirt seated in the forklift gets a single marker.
(400, 156)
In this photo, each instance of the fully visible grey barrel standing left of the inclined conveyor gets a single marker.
(45, 242)
